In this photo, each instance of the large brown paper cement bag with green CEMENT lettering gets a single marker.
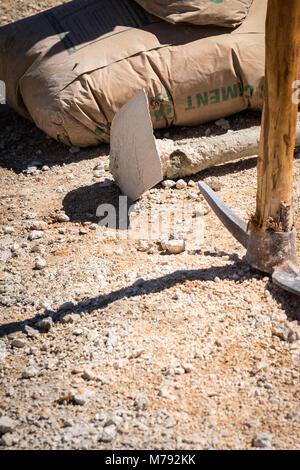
(70, 69)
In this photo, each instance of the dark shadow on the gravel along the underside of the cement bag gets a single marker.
(21, 142)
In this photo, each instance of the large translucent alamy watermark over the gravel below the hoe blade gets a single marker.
(183, 220)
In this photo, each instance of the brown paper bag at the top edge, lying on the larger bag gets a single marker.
(227, 13)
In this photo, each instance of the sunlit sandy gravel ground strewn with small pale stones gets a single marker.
(138, 349)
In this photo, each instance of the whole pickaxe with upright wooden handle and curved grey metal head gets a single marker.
(270, 236)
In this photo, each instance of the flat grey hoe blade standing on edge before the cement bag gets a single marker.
(134, 159)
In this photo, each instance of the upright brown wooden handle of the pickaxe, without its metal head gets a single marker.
(278, 131)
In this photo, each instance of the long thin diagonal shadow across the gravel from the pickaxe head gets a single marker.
(289, 302)
